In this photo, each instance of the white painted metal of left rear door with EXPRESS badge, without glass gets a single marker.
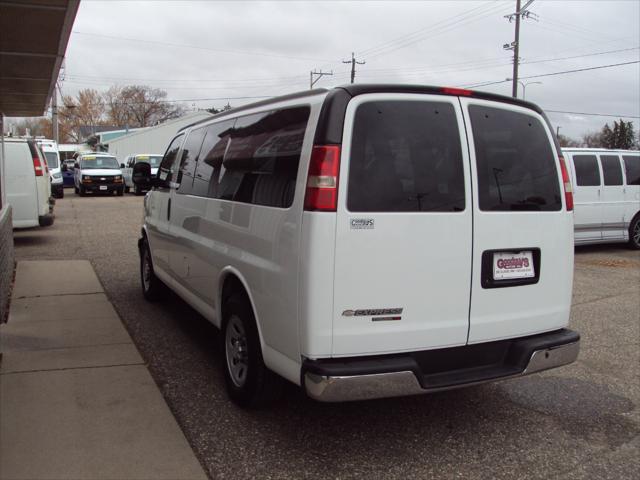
(417, 263)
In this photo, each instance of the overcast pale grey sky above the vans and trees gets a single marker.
(210, 53)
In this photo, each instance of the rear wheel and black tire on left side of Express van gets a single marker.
(250, 384)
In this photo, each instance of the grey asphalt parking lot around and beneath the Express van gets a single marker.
(581, 421)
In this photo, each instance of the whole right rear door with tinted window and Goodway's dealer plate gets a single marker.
(523, 234)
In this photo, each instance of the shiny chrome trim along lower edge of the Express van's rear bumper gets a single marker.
(405, 383)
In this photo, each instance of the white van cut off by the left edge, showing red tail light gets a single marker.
(27, 184)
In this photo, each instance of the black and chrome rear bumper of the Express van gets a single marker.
(361, 378)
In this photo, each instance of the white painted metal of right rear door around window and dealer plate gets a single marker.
(498, 313)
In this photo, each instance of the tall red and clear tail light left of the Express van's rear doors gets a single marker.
(322, 181)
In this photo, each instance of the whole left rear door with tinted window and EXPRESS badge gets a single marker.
(404, 226)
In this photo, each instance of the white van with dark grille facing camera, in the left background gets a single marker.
(97, 173)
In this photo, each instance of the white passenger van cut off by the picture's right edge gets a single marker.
(606, 192)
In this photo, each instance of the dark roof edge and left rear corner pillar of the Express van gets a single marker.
(338, 97)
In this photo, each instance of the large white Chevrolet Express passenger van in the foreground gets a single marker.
(369, 240)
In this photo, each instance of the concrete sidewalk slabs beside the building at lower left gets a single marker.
(76, 399)
